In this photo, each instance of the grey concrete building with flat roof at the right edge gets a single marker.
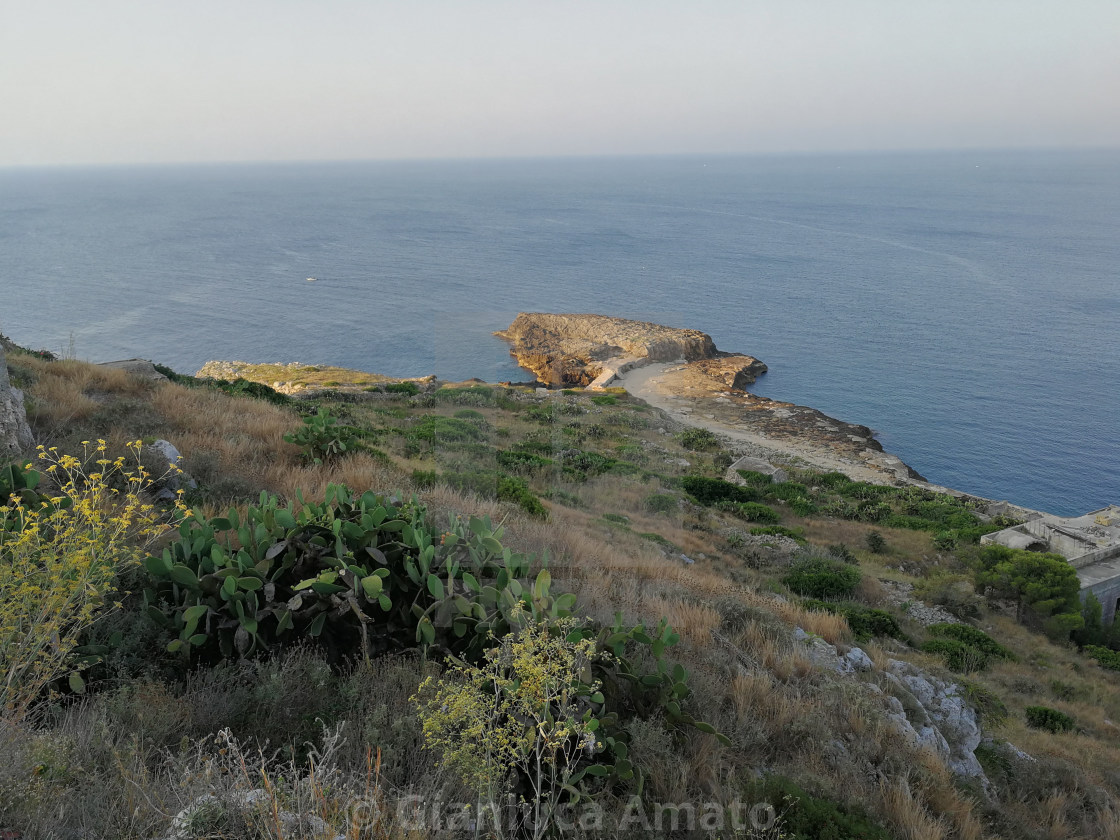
(1091, 544)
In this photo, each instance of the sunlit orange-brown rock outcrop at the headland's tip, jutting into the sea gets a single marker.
(577, 350)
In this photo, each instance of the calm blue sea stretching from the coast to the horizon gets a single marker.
(965, 305)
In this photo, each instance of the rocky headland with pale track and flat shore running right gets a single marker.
(684, 374)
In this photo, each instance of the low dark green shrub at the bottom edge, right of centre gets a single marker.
(806, 817)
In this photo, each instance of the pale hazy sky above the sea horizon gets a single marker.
(138, 81)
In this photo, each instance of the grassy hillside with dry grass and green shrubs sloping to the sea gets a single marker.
(624, 510)
